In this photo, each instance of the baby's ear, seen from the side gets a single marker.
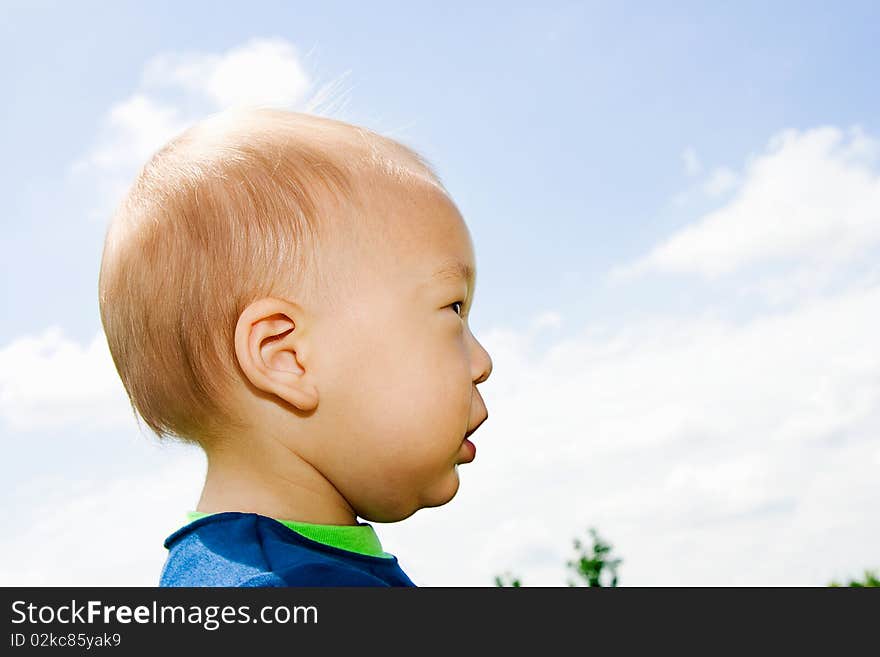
(269, 343)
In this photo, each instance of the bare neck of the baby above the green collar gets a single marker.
(271, 480)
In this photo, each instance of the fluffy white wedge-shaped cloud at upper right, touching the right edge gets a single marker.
(811, 195)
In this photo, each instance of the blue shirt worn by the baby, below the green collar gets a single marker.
(248, 549)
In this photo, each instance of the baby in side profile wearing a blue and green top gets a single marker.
(291, 293)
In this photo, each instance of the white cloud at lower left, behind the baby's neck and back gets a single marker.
(105, 532)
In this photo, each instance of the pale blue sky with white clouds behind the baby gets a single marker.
(725, 156)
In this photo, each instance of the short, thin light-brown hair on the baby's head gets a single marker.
(233, 209)
